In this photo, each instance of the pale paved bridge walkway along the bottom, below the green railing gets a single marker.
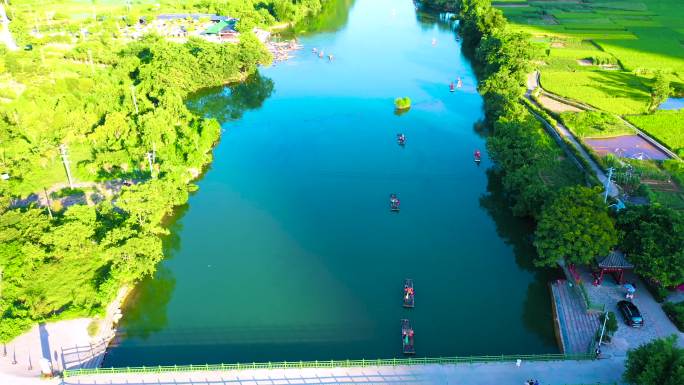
(607, 371)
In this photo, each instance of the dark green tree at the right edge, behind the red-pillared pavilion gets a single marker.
(653, 239)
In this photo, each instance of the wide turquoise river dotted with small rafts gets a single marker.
(289, 250)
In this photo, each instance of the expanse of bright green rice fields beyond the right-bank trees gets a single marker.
(605, 53)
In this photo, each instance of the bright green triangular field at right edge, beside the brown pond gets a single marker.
(666, 126)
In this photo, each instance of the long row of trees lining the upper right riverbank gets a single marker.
(529, 162)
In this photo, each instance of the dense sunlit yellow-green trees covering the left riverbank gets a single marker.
(130, 101)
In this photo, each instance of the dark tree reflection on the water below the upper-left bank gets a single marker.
(232, 102)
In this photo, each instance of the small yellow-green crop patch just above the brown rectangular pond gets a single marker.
(595, 124)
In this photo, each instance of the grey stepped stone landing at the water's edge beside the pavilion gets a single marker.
(575, 326)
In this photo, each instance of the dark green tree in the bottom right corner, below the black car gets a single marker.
(658, 362)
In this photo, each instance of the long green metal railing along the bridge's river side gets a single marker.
(330, 364)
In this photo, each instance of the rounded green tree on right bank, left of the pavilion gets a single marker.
(575, 227)
